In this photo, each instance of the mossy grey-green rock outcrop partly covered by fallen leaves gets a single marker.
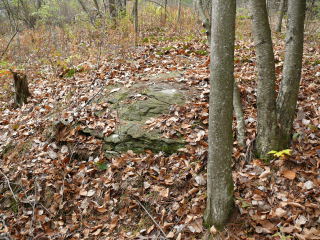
(137, 104)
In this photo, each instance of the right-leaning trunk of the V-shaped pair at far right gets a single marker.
(288, 94)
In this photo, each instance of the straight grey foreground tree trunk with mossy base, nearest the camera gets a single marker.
(219, 182)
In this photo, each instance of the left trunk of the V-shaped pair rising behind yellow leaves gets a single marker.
(266, 98)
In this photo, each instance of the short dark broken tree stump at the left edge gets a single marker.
(21, 88)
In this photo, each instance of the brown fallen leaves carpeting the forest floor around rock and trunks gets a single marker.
(63, 187)
